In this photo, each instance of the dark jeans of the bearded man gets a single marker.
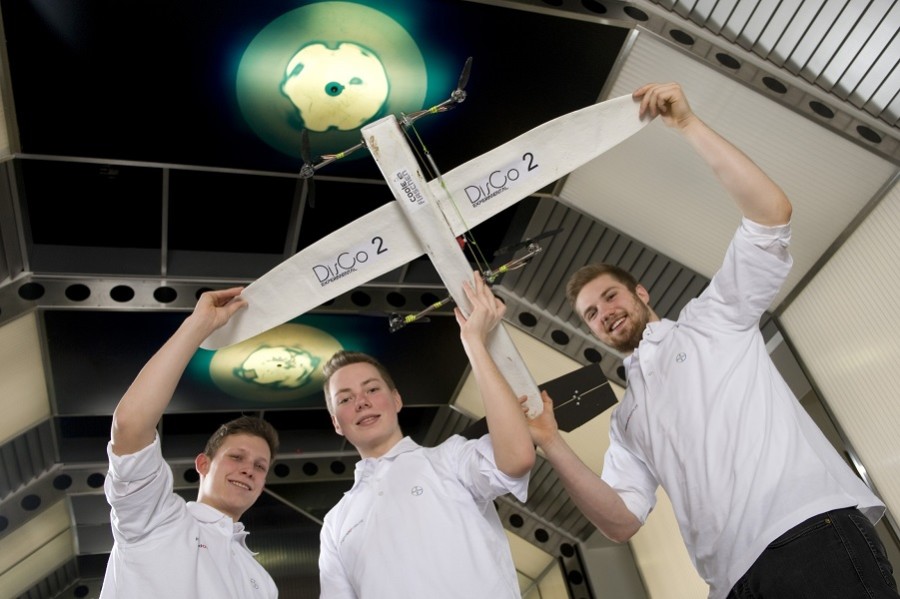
(835, 555)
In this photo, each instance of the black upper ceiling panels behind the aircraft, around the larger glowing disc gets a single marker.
(196, 178)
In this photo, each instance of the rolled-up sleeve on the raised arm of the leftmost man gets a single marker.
(139, 489)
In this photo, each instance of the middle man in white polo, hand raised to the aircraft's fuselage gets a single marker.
(420, 521)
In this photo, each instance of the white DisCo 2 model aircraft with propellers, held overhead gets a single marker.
(428, 217)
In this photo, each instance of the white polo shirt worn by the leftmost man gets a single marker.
(168, 548)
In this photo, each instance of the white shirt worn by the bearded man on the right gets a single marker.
(707, 416)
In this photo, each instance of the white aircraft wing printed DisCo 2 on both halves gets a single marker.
(382, 240)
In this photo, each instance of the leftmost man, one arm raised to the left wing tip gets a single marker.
(164, 546)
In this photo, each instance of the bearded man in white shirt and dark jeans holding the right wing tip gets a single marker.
(767, 508)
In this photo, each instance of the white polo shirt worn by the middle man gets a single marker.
(420, 522)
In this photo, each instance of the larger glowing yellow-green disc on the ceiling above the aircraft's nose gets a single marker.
(330, 67)
